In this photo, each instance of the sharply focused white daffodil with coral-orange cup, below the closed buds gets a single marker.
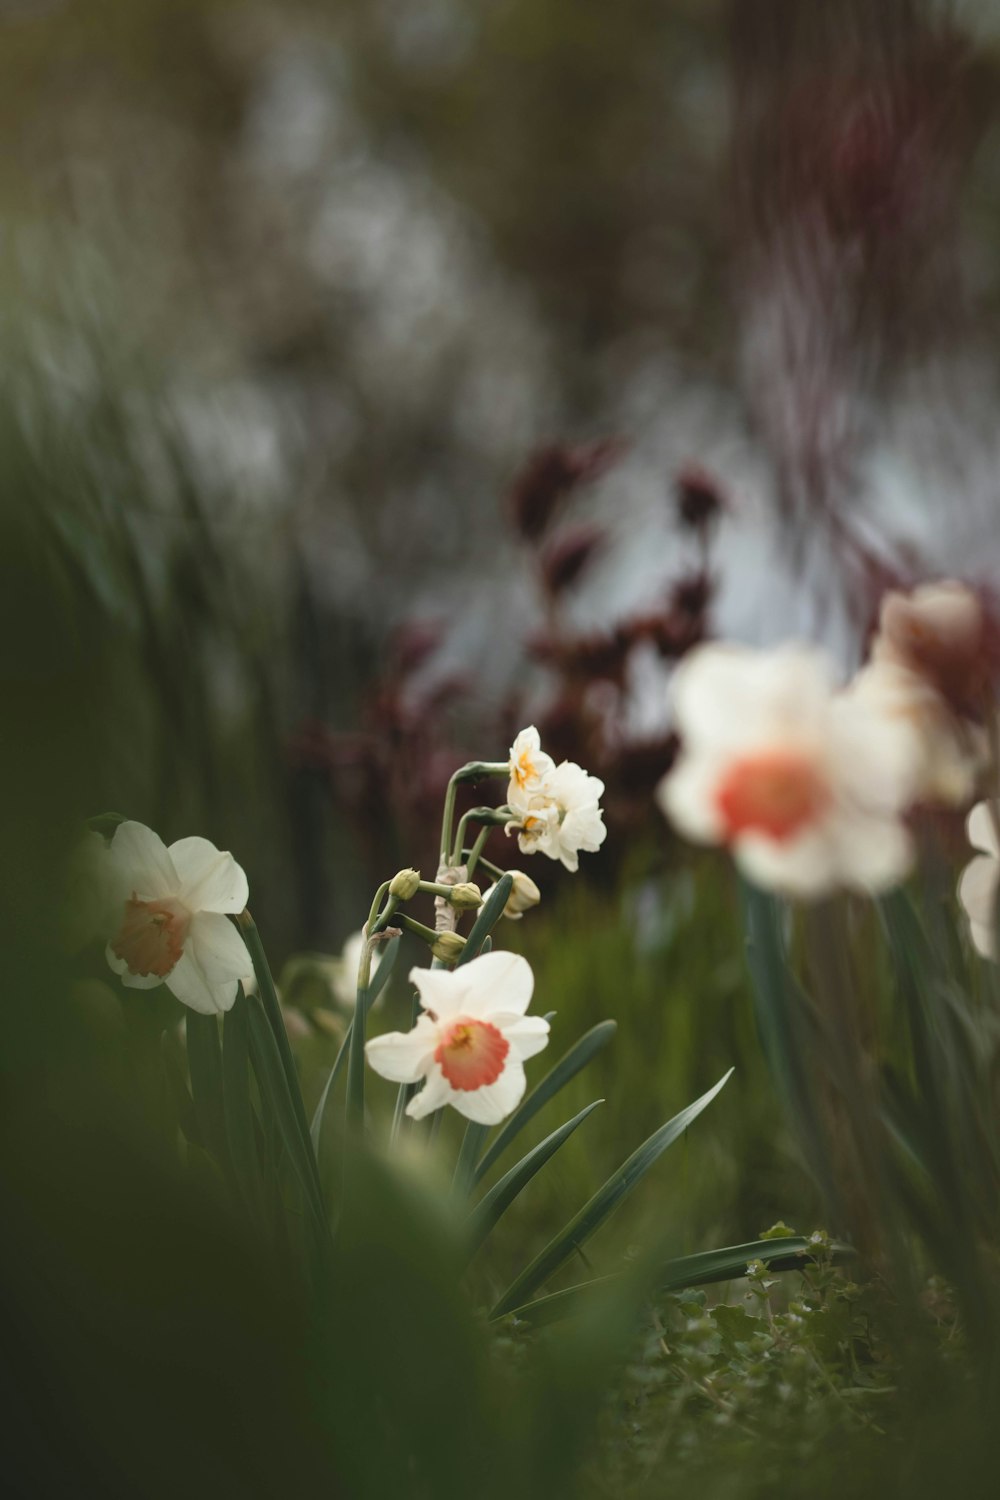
(472, 1040)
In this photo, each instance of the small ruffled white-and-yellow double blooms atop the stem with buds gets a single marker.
(554, 808)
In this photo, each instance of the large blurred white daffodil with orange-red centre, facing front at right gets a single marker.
(803, 784)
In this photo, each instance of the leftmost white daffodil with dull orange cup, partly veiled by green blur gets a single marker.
(172, 919)
